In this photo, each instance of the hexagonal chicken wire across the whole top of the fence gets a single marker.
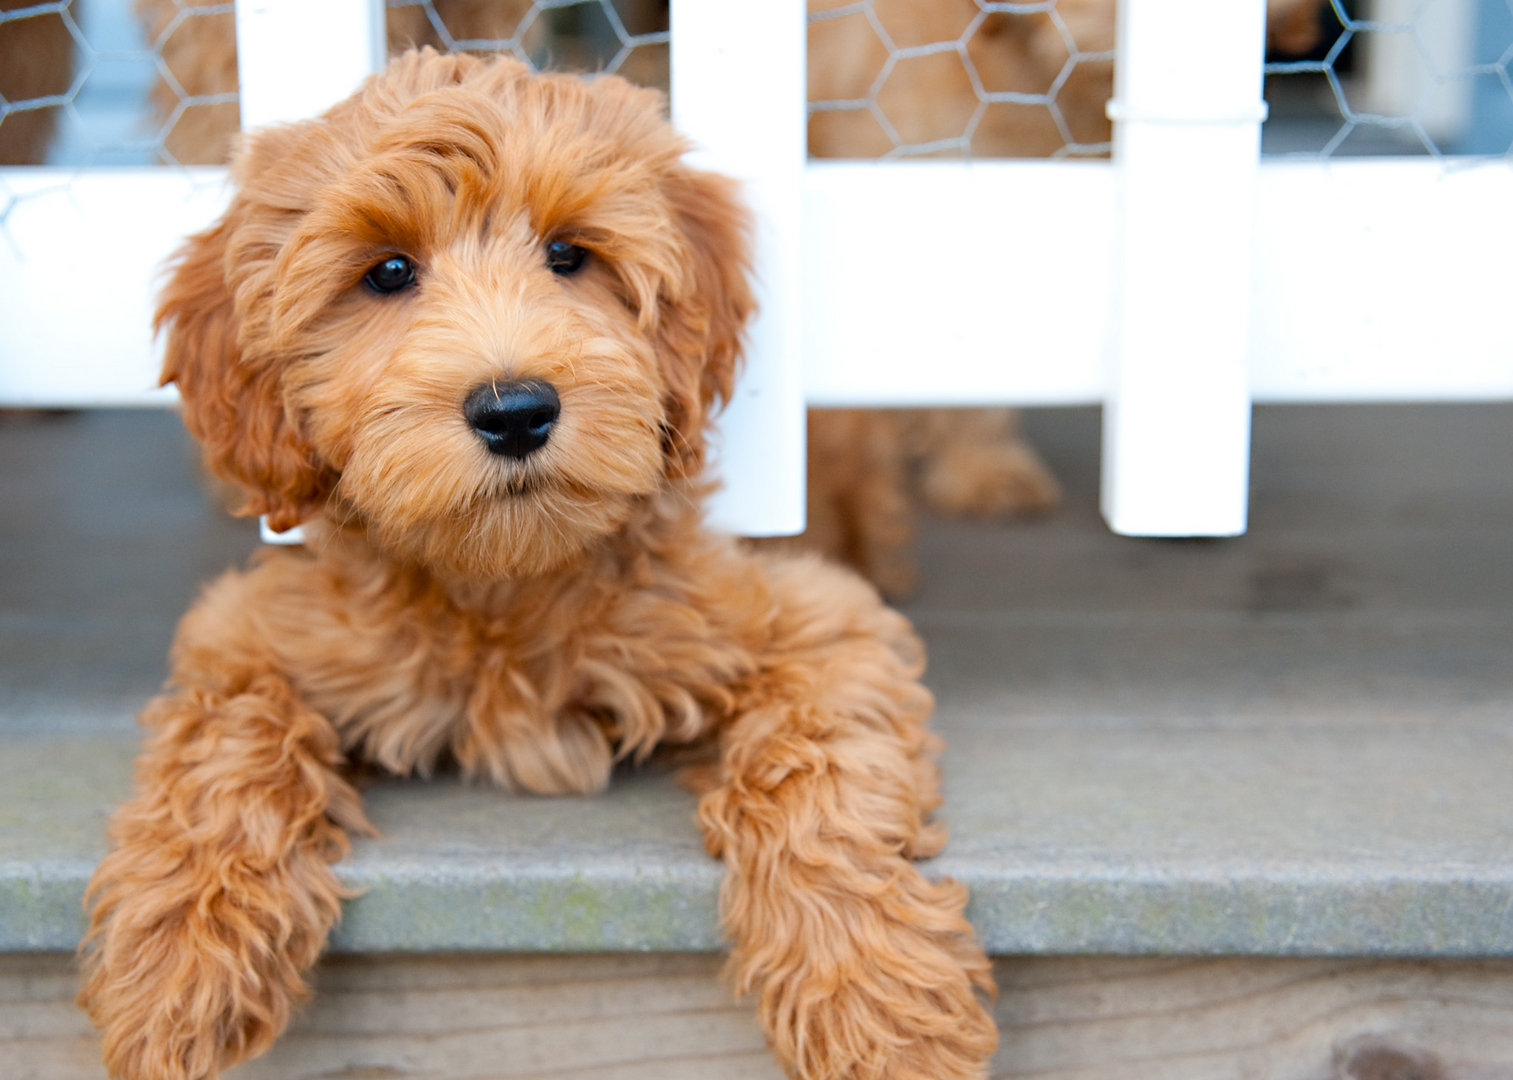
(104, 82)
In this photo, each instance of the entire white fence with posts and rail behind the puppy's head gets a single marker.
(1176, 284)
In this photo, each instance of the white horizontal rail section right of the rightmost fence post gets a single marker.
(1384, 279)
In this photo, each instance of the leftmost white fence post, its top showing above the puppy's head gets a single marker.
(297, 58)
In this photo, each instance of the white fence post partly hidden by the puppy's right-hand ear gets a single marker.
(739, 95)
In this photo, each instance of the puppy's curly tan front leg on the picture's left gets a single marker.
(219, 893)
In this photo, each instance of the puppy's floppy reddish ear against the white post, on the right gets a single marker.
(703, 320)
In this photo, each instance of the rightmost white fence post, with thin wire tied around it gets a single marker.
(1187, 141)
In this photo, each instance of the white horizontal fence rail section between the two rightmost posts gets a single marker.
(948, 284)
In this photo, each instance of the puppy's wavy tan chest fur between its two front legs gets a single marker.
(411, 684)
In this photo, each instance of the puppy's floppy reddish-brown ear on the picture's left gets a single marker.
(232, 403)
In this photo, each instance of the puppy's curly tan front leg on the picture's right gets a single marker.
(866, 970)
